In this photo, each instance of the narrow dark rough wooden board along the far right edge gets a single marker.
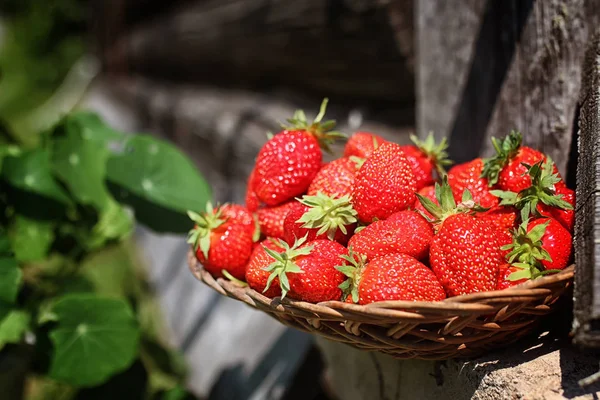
(587, 226)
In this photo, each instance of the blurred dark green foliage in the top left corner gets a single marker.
(41, 41)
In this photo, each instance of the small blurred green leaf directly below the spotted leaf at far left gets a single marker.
(31, 238)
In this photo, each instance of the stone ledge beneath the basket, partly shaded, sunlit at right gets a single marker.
(543, 368)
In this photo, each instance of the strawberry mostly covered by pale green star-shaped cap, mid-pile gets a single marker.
(320, 217)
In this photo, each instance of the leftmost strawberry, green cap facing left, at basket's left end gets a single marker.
(222, 239)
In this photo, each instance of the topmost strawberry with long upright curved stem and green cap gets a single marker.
(288, 162)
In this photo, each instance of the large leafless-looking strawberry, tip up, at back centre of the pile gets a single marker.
(384, 184)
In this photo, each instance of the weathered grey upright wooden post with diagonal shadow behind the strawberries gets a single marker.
(524, 73)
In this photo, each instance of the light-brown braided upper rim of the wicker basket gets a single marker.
(479, 302)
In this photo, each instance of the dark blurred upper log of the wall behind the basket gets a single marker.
(344, 48)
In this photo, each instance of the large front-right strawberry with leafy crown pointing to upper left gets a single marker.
(465, 253)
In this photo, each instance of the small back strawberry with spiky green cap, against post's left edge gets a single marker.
(425, 157)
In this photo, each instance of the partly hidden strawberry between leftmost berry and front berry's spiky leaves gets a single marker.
(256, 275)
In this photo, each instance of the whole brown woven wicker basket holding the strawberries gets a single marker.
(462, 326)
